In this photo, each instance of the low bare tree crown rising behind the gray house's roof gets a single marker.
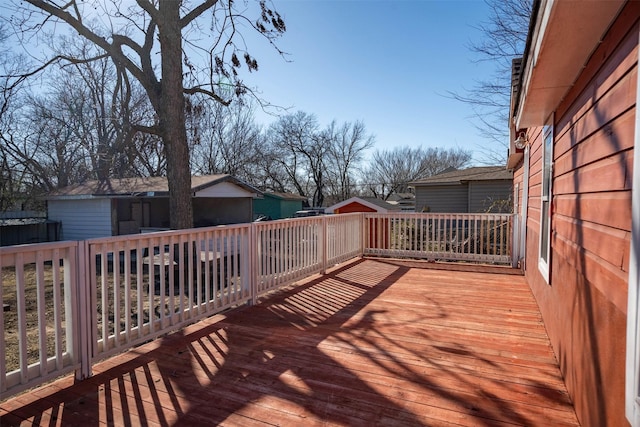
(391, 171)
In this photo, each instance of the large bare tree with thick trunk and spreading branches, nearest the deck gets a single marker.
(131, 35)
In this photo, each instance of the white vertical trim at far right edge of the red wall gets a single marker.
(632, 380)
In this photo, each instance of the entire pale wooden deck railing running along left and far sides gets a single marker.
(69, 304)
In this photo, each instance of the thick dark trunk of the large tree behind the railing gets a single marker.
(171, 115)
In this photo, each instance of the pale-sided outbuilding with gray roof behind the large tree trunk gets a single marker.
(133, 205)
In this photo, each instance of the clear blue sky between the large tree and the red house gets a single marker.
(387, 63)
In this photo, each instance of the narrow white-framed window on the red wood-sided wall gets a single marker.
(545, 203)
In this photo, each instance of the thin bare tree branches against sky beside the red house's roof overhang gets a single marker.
(504, 38)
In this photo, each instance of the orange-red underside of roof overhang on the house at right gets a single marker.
(564, 36)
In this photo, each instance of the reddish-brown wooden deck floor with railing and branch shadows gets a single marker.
(375, 342)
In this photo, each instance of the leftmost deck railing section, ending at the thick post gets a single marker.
(40, 317)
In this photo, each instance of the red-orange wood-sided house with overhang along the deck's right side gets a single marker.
(576, 178)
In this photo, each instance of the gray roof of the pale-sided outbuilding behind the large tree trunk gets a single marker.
(140, 186)
